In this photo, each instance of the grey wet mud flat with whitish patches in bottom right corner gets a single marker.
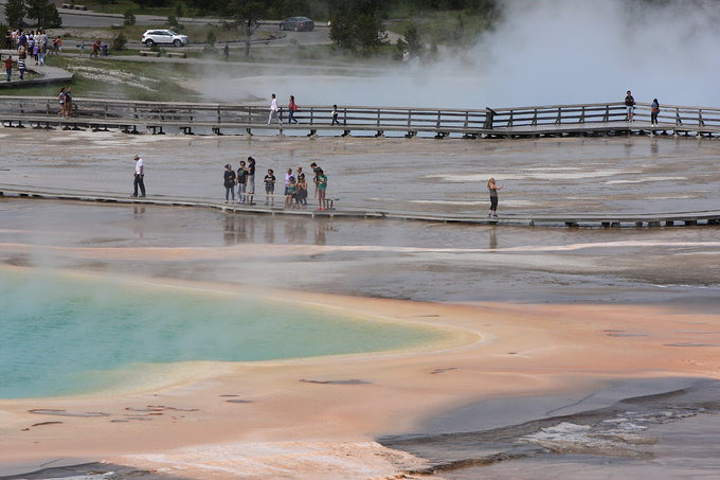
(631, 426)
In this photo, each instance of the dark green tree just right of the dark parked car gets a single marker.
(357, 25)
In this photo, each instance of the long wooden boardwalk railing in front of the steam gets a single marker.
(553, 120)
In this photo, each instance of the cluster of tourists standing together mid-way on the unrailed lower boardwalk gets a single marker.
(296, 186)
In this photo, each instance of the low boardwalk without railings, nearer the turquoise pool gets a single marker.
(571, 220)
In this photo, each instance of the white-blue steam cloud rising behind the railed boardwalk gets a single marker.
(544, 52)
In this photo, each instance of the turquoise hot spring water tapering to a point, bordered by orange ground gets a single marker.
(63, 336)
